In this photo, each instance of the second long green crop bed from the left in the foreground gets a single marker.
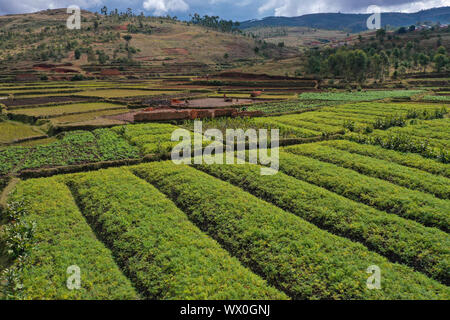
(161, 250)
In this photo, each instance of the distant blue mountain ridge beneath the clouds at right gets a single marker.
(351, 22)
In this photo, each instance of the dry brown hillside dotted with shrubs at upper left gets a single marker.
(158, 45)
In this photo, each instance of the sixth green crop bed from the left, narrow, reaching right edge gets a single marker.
(385, 170)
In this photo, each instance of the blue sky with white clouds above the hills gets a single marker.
(236, 10)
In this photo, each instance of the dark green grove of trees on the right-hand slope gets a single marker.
(375, 58)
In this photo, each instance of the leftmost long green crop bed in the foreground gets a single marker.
(61, 239)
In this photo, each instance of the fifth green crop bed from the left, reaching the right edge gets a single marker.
(385, 196)
